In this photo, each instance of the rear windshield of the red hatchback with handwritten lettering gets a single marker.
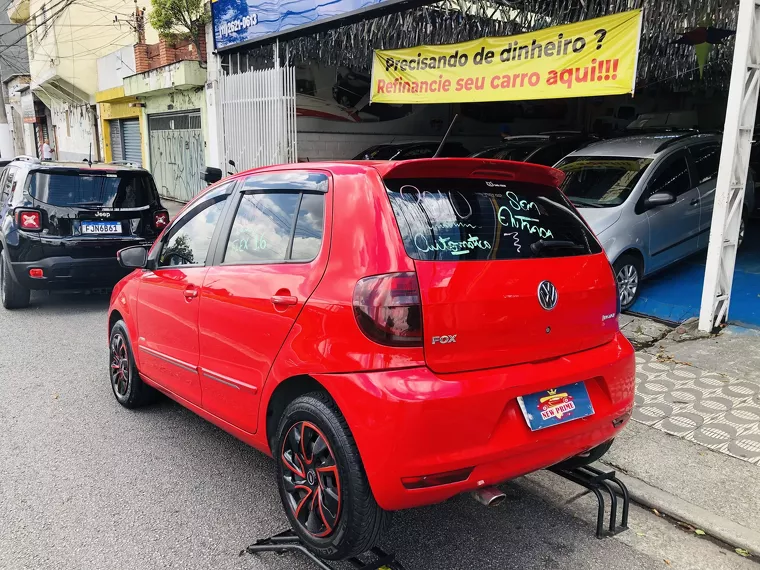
(472, 219)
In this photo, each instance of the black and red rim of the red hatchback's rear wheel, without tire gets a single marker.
(311, 479)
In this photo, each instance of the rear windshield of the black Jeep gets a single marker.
(112, 190)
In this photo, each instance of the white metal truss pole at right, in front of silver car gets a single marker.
(734, 164)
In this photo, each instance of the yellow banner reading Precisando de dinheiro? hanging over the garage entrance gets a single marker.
(593, 57)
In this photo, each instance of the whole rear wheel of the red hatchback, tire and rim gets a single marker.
(310, 495)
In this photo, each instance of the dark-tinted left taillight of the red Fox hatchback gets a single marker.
(388, 309)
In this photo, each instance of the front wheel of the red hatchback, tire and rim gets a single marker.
(128, 388)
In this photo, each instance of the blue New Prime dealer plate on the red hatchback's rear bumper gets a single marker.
(556, 406)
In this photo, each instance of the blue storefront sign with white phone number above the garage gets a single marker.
(245, 21)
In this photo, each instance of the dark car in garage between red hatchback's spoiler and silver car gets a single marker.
(545, 148)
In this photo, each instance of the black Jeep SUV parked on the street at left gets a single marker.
(61, 224)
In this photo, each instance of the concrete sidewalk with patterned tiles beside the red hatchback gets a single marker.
(692, 450)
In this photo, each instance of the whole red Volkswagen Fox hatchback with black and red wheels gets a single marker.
(392, 333)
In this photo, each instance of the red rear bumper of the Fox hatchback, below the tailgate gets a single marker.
(413, 422)
